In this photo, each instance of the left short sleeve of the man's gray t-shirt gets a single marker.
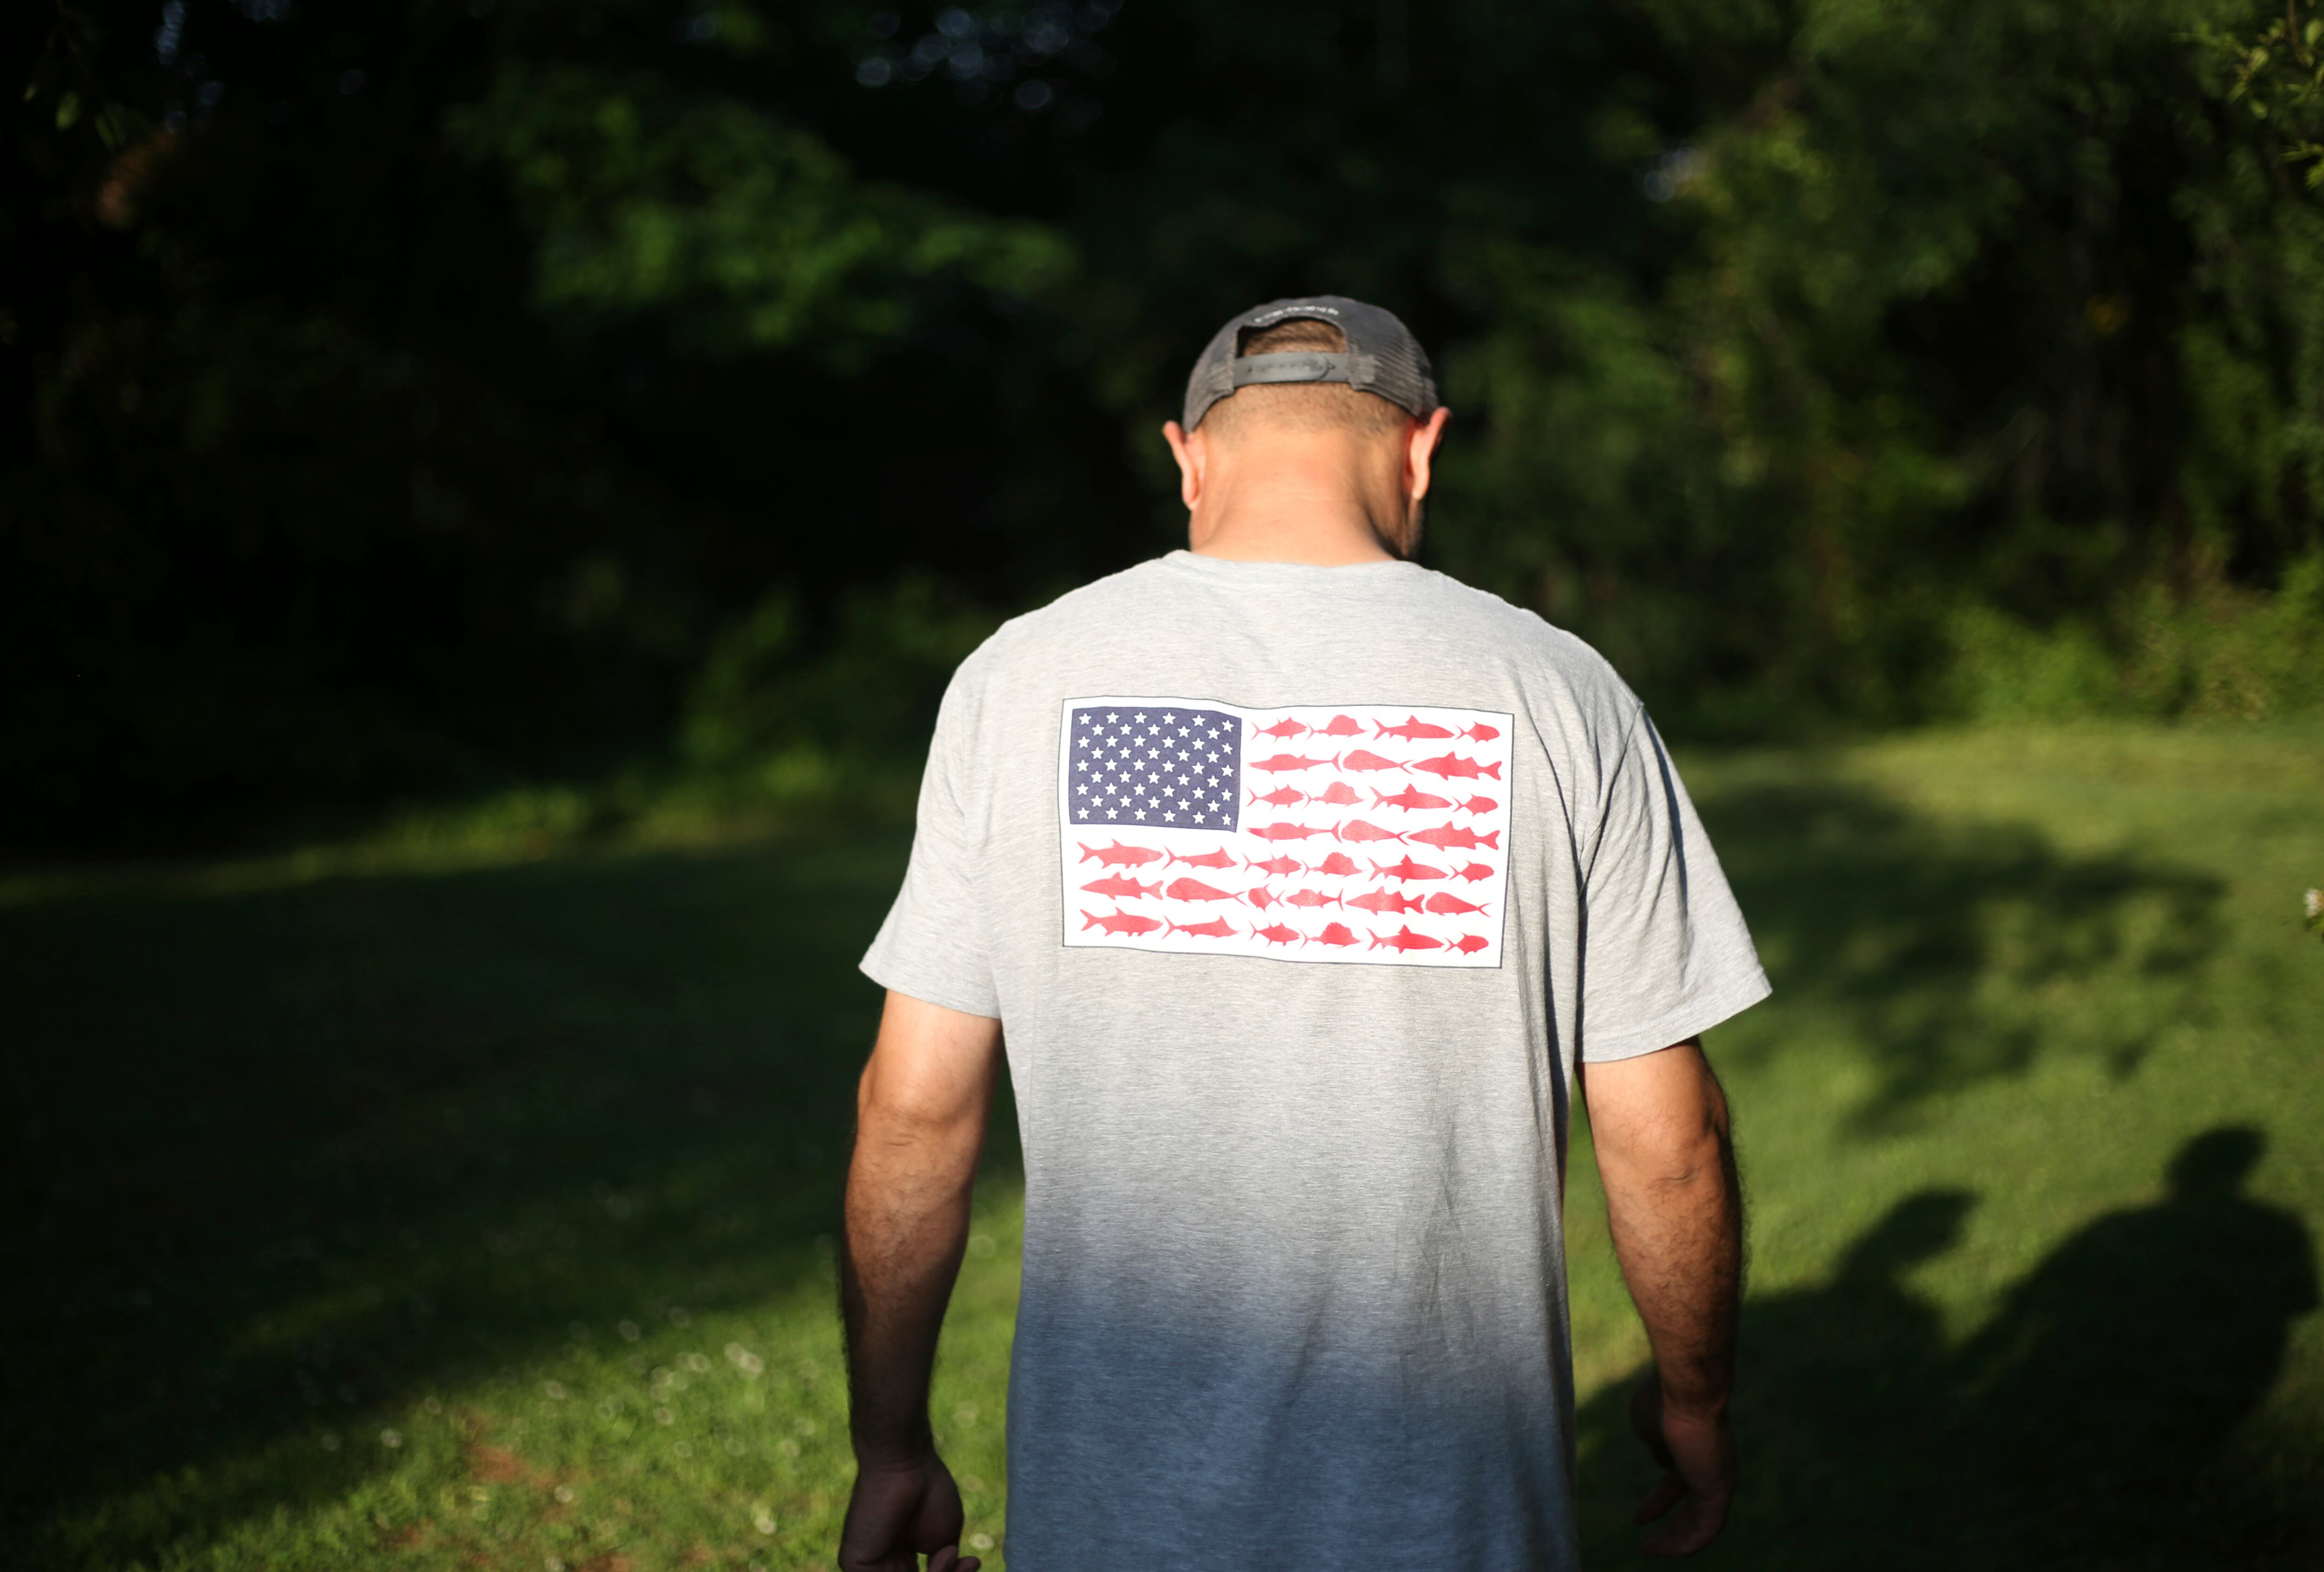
(935, 942)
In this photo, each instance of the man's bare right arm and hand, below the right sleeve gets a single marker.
(1677, 1213)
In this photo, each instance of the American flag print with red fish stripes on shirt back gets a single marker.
(1361, 835)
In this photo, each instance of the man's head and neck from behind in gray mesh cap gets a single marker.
(1310, 419)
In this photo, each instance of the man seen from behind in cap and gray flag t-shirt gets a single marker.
(1303, 886)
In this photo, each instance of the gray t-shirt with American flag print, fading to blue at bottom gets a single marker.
(1298, 893)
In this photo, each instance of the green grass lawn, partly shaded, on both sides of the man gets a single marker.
(480, 1216)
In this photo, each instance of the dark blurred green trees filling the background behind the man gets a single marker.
(410, 396)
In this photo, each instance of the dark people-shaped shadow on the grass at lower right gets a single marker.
(2107, 1418)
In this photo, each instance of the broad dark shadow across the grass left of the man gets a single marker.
(450, 1116)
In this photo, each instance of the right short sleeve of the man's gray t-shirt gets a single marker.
(1665, 951)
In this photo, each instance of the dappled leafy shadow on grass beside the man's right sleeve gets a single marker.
(1942, 944)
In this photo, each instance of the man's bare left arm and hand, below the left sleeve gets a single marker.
(919, 1132)
